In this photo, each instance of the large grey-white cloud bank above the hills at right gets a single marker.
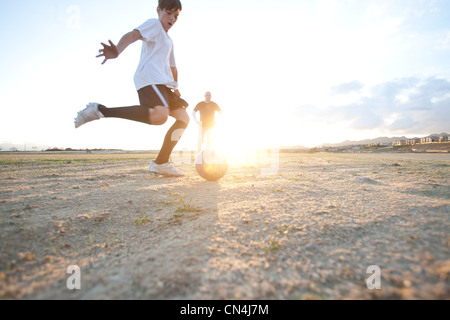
(401, 106)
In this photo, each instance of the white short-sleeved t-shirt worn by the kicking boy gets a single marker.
(157, 56)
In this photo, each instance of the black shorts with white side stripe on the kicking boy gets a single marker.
(160, 95)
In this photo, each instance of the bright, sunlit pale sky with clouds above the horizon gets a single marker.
(288, 72)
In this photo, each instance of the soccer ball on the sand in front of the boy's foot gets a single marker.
(211, 165)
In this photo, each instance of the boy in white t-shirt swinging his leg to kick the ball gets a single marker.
(156, 82)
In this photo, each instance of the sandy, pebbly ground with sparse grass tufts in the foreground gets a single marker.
(308, 232)
